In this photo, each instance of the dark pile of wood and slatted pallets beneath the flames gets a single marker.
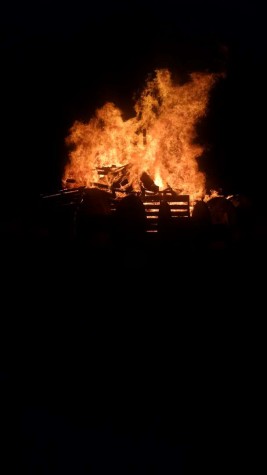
(97, 212)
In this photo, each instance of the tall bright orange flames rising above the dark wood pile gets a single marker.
(159, 140)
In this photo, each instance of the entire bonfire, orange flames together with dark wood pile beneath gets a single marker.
(144, 166)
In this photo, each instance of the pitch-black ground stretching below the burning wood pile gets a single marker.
(138, 358)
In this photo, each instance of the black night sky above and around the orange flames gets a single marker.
(60, 60)
